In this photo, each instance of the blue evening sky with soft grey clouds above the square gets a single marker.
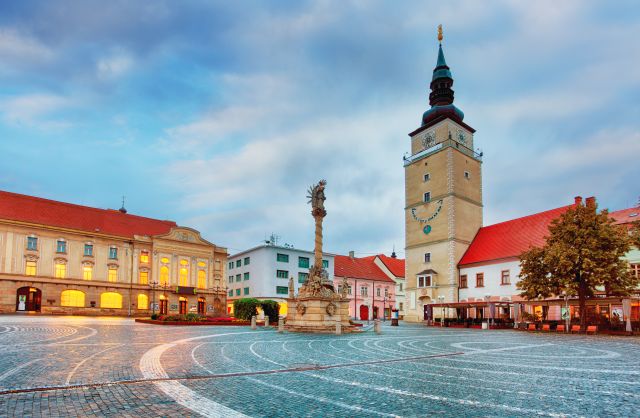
(220, 115)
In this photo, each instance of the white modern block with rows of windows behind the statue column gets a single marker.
(263, 273)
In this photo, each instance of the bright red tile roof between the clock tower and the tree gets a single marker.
(511, 238)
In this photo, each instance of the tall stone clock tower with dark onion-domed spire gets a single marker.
(443, 198)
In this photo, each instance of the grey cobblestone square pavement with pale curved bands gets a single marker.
(77, 366)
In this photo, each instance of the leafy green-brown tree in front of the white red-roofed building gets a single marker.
(583, 254)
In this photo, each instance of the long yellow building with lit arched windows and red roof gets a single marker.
(60, 258)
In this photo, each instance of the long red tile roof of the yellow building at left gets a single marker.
(18, 207)
